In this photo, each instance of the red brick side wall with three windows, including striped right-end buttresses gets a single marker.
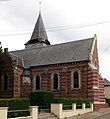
(91, 83)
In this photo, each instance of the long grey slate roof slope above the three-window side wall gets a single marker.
(55, 54)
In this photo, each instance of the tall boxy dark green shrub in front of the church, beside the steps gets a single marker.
(41, 98)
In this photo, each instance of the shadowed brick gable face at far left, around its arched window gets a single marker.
(6, 67)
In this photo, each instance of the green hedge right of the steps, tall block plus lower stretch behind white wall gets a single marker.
(45, 98)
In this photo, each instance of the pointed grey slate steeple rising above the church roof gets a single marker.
(39, 35)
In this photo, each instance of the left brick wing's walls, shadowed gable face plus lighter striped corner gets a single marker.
(14, 77)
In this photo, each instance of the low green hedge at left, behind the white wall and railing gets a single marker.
(15, 104)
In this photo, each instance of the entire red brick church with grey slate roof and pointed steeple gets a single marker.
(69, 70)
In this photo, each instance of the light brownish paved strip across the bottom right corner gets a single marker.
(101, 114)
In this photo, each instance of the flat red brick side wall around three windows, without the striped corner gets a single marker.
(65, 72)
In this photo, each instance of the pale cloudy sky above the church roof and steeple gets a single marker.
(65, 21)
